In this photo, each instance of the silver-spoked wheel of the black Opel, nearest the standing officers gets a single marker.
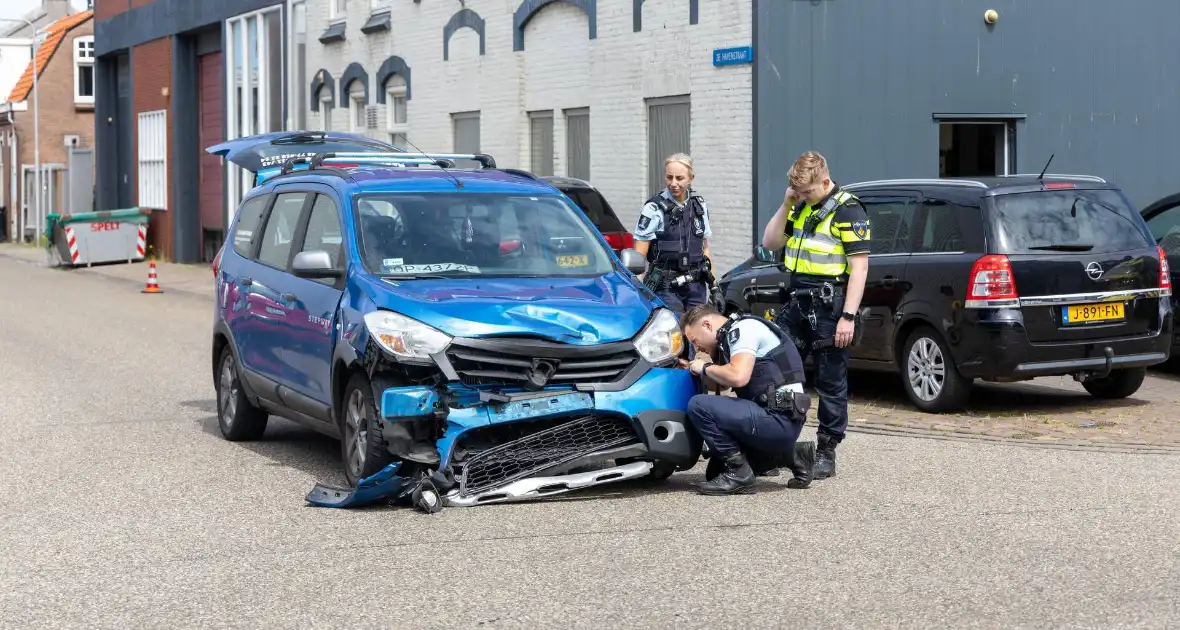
(929, 375)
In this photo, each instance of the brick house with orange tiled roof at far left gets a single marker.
(61, 114)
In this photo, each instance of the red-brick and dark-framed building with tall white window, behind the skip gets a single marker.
(165, 69)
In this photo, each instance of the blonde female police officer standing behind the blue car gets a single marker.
(673, 233)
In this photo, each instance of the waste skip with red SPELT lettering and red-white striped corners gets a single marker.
(99, 238)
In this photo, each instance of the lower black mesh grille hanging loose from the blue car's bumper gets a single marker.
(534, 454)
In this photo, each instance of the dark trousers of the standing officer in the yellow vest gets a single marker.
(831, 363)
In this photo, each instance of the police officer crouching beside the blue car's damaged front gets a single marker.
(759, 430)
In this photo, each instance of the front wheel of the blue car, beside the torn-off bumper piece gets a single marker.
(363, 451)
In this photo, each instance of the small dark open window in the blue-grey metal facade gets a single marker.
(974, 149)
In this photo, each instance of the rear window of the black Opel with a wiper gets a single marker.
(1093, 221)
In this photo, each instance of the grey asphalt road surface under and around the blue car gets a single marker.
(124, 508)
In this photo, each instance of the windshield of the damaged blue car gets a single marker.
(449, 235)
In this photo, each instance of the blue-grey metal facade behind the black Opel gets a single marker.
(864, 83)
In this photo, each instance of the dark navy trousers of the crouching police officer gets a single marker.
(730, 425)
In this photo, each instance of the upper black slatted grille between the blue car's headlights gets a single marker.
(513, 362)
